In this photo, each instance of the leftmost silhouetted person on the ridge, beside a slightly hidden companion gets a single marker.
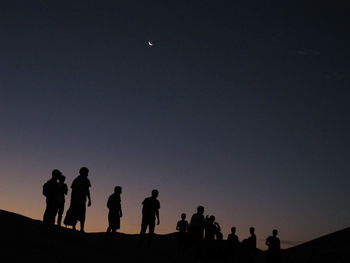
(50, 192)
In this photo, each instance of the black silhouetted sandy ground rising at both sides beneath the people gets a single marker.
(27, 240)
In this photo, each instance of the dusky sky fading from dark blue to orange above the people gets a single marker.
(240, 107)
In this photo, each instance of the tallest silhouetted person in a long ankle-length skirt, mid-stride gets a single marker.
(80, 192)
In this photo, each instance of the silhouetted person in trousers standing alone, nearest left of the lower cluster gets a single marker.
(150, 212)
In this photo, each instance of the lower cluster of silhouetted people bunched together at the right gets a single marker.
(202, 231)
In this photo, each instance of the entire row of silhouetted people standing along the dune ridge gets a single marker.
(199, 234)
